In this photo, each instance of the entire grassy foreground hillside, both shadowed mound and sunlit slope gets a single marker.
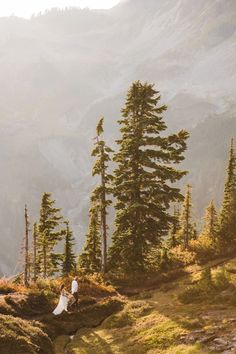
(187, 311)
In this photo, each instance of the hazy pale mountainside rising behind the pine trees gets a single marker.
(61, 70)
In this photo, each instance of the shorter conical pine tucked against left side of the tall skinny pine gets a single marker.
(90, 259)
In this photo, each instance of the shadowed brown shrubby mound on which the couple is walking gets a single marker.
(96, 303)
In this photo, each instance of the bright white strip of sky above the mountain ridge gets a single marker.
(25, 8)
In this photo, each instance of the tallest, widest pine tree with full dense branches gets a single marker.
(143, 178)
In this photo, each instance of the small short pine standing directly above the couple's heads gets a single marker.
(68, 262)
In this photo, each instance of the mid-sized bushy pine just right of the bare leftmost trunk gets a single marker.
(49, 235)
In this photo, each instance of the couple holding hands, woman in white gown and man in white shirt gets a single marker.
(64, 295)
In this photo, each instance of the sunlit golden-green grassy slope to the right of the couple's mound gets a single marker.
(163, 321)
